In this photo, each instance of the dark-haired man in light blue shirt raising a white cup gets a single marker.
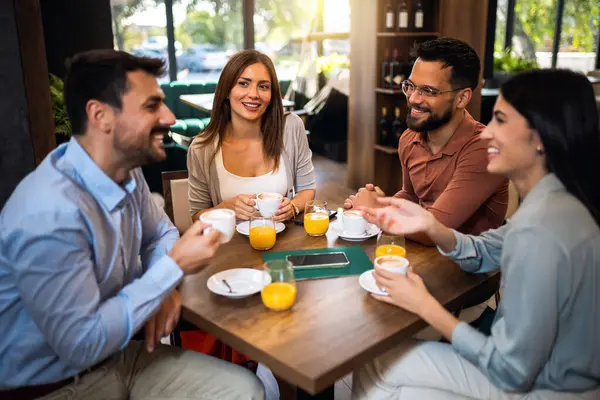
(87, 259)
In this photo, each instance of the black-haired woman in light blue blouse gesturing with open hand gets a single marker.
(545, 338)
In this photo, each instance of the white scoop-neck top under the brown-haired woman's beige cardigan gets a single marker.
(232, 185)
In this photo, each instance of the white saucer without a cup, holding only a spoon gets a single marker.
(243, 281)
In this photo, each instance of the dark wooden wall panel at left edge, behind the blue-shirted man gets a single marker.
(27, 133)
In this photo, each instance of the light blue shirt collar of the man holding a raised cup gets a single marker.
(80, 166)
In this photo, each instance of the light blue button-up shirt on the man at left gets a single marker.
(72, 288)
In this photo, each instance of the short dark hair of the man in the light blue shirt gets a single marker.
(101, 75)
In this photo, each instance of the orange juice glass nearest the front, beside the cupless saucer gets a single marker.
(280, 293)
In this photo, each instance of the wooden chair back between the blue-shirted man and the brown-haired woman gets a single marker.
(175, 192)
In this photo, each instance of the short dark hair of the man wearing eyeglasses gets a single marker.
(456, 54)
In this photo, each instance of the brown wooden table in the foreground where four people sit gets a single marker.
(335, 325)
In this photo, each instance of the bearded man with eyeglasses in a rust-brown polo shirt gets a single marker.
(443, 158)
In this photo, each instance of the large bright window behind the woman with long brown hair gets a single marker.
(208, 32)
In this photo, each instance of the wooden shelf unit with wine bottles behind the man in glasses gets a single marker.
(461, 19)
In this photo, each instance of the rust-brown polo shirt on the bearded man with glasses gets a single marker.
(454, 184)
